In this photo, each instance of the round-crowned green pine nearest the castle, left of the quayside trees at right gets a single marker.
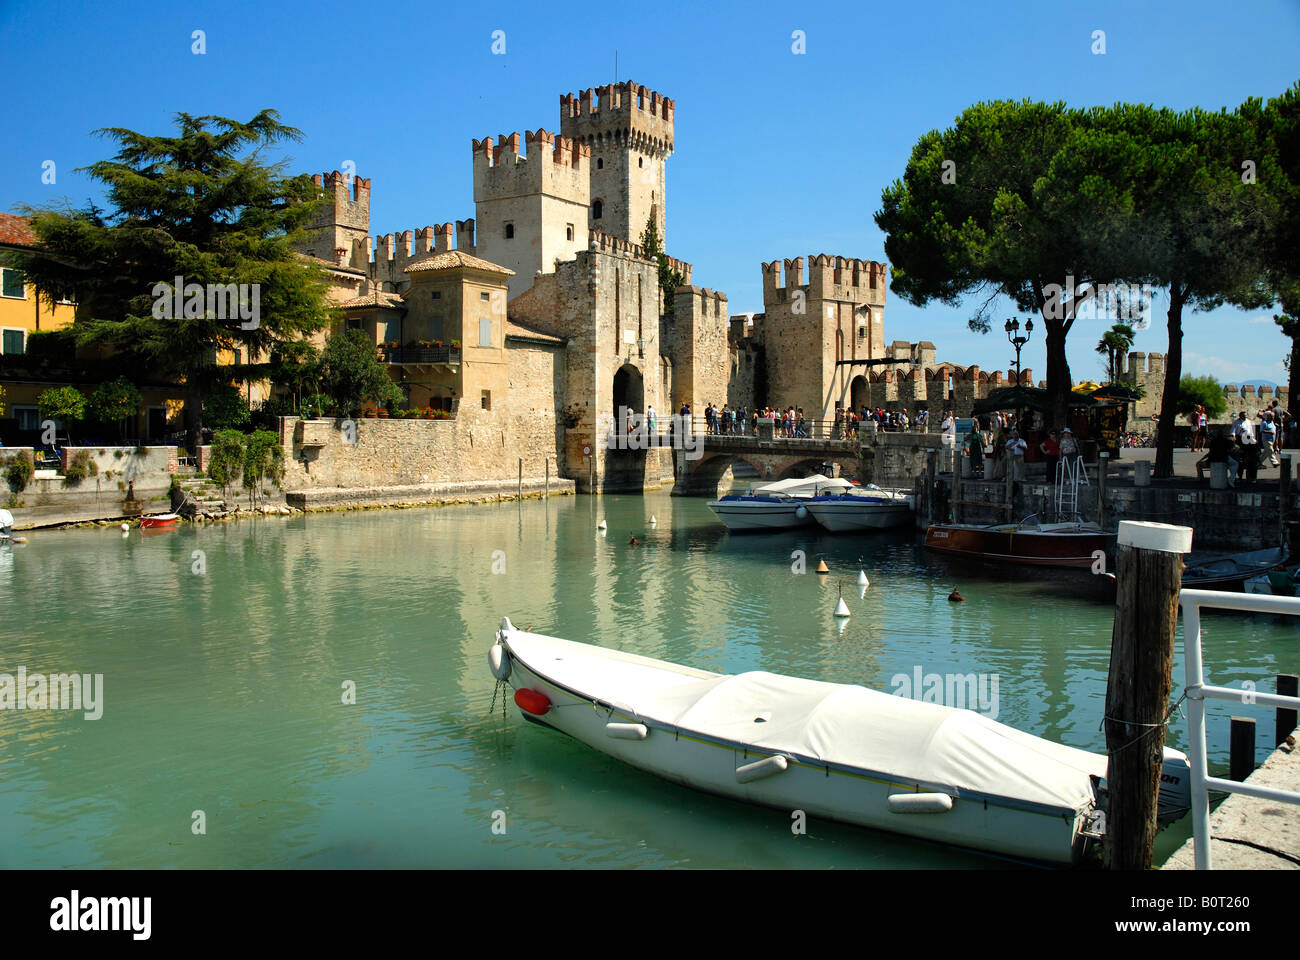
(994, 206)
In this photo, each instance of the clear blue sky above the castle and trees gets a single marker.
(778, 154)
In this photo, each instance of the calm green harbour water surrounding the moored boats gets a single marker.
(223, 690)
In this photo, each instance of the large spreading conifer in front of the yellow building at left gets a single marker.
(203, 206)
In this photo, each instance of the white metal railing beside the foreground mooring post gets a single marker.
(1198, 691)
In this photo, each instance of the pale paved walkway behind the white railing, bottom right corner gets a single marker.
(1251, 834)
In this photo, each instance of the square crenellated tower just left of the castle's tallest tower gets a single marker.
(531, 209)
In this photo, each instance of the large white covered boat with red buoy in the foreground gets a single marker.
(830, 750)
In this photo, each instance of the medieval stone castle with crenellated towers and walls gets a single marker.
(536, 321)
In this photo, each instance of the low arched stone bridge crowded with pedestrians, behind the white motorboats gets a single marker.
(890, 460)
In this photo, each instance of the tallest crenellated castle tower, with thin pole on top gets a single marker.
(629, 131)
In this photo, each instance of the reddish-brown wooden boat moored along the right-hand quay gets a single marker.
(1072, 544)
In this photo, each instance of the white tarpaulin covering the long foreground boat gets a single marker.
(905, 741)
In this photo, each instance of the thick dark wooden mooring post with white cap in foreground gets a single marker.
(1150, 570)
